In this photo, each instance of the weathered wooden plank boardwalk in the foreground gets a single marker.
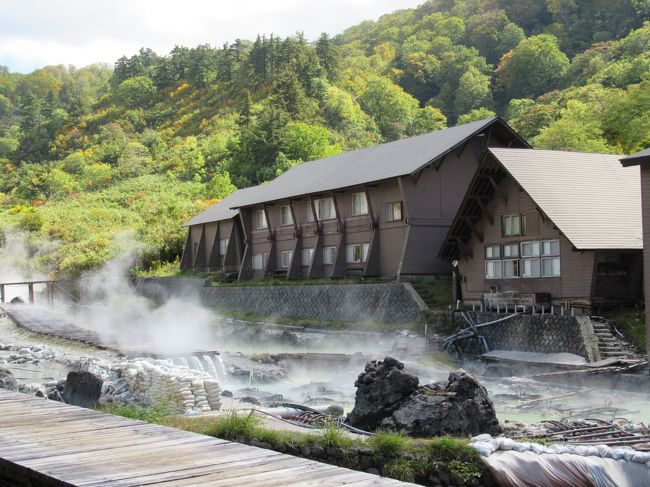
(53, 444)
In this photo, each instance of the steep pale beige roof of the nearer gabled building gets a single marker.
(590, 198)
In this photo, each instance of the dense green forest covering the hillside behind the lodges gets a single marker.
(101, 158)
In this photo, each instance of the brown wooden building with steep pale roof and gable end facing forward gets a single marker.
(543, 226)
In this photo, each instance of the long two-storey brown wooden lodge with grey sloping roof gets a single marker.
(382, 211)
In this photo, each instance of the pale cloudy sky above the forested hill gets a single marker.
(37, 33)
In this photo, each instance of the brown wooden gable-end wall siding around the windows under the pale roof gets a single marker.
(576, 267)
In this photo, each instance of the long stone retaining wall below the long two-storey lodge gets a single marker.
(393, 302)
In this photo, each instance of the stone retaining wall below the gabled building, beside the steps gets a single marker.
(537, 333)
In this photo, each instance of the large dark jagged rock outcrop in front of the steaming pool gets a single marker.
(389, 398)
